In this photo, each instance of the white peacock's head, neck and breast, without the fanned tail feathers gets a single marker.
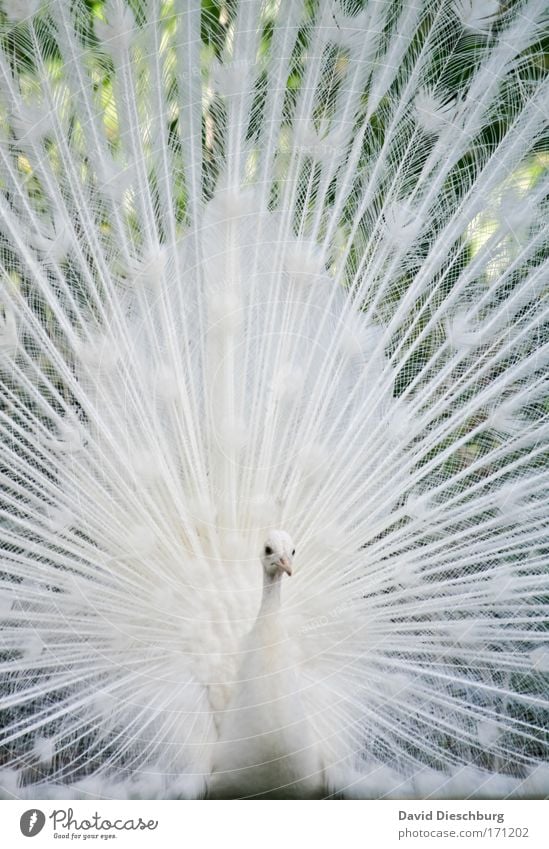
(266, 747)
